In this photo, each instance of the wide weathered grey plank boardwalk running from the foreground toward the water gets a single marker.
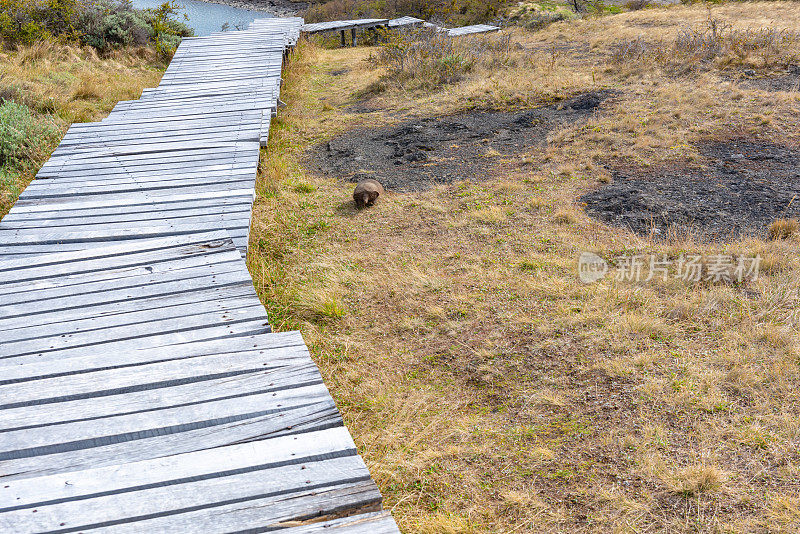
(141, 388)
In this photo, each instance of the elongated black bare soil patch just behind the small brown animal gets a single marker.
(426, 151)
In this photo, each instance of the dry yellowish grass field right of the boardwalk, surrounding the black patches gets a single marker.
(489, 390)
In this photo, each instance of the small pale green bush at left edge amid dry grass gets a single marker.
(25, 138)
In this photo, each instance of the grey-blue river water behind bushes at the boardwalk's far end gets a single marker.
(205, 17)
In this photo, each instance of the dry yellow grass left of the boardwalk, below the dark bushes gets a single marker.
(63, 84)
